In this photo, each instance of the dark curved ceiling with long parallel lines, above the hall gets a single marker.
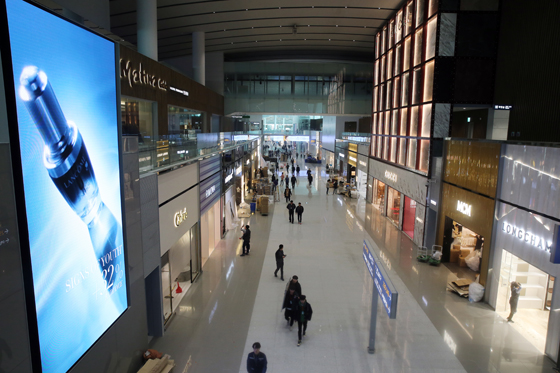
(263, 29)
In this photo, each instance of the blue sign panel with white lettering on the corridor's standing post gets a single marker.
(385, 288)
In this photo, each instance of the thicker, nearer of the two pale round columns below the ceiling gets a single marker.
(146, 17)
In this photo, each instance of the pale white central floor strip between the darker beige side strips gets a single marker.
(326, 254)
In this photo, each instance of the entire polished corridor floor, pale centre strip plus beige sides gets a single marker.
(237, 301)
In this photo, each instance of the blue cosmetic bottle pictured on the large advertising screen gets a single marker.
(68, 164)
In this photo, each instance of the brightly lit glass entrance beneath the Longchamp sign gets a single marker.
(531, 319)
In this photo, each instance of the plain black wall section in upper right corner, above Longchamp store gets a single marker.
(527, 75)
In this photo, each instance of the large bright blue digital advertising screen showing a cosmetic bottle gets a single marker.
(65, 88)
